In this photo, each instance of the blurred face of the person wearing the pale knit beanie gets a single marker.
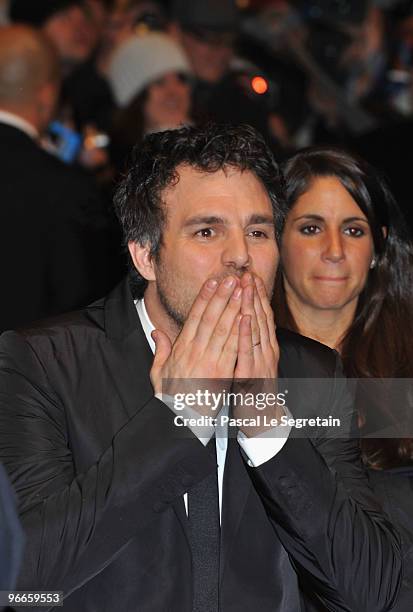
(168, 102)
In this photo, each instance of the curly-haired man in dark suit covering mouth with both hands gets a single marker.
(123, 510)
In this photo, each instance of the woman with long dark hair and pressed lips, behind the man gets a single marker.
(346, 279)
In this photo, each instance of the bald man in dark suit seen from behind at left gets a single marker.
(52, 228)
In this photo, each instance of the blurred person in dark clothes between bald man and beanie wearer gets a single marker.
(85, 103)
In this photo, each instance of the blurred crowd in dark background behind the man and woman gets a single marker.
(302, 72)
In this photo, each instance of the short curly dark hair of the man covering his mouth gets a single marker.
(154, 166)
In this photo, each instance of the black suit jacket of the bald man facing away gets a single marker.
(53, 234)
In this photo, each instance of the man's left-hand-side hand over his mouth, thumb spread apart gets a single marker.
(207, 346)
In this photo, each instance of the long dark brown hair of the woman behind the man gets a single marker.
(379, 342)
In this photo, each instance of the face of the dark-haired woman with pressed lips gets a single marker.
(327, 248)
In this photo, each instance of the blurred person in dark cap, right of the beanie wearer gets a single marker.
(221, 91)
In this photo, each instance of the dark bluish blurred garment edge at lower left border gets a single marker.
(11, 535)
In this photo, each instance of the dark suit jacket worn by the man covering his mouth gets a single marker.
(100, 470)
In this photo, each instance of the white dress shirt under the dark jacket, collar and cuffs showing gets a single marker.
(258, 449)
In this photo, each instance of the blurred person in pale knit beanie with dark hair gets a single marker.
(149, 77)
